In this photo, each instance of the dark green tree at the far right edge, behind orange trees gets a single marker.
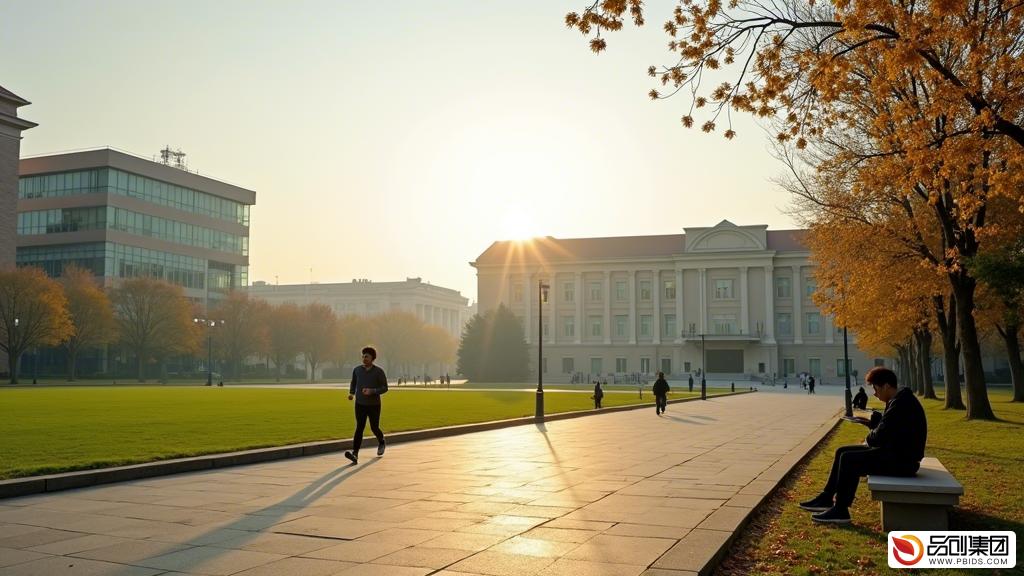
(1003, 273)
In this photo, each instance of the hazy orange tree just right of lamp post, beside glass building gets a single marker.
(244, 332)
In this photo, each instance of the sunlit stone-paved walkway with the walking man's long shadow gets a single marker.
(626, 493)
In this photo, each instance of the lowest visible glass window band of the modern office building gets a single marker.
(117, 261)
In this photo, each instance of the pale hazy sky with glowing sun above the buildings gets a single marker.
(389, 140)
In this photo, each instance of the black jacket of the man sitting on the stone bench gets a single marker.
(902, 430)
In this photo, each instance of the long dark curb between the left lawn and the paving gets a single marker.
(82, 479)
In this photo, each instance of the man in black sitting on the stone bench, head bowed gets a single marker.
(894, 447)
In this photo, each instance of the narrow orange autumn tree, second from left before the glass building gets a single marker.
(92, 314)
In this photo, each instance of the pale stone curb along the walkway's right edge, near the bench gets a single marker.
(700, 553)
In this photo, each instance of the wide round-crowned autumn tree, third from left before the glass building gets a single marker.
(155, 321)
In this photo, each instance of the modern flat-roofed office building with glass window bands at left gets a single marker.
(125, 217)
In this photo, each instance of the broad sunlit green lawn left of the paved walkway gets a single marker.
(52, 430)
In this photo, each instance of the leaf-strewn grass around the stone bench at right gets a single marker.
(987, 458)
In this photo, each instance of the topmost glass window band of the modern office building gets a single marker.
(112, 181)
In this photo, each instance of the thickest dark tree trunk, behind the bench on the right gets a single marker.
(978, 407)
